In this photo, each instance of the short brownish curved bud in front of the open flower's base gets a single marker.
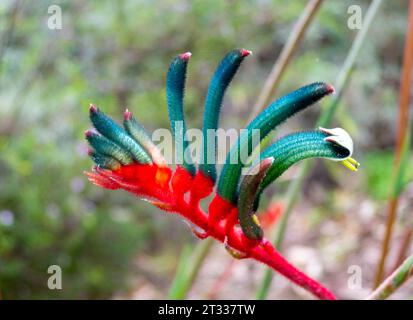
(248, 191)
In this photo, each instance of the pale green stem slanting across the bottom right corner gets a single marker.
(394, 281)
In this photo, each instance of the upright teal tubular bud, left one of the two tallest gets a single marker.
(175, 90)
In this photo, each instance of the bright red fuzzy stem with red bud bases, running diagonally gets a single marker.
(220, 223)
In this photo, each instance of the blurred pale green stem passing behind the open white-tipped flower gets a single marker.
(325, 118)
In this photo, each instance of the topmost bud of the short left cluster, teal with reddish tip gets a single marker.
(111, 130)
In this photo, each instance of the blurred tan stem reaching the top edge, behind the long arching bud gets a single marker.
(280, 65)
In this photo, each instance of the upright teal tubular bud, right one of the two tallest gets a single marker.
(217, 87)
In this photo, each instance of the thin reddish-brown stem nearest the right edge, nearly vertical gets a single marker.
(403, 119)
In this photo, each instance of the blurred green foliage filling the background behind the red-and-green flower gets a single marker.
(115, 54)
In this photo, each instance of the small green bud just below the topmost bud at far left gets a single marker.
(108, 148)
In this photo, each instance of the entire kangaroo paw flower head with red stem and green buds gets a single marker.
(126, 158)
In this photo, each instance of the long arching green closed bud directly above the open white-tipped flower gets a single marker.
(267, 120)
